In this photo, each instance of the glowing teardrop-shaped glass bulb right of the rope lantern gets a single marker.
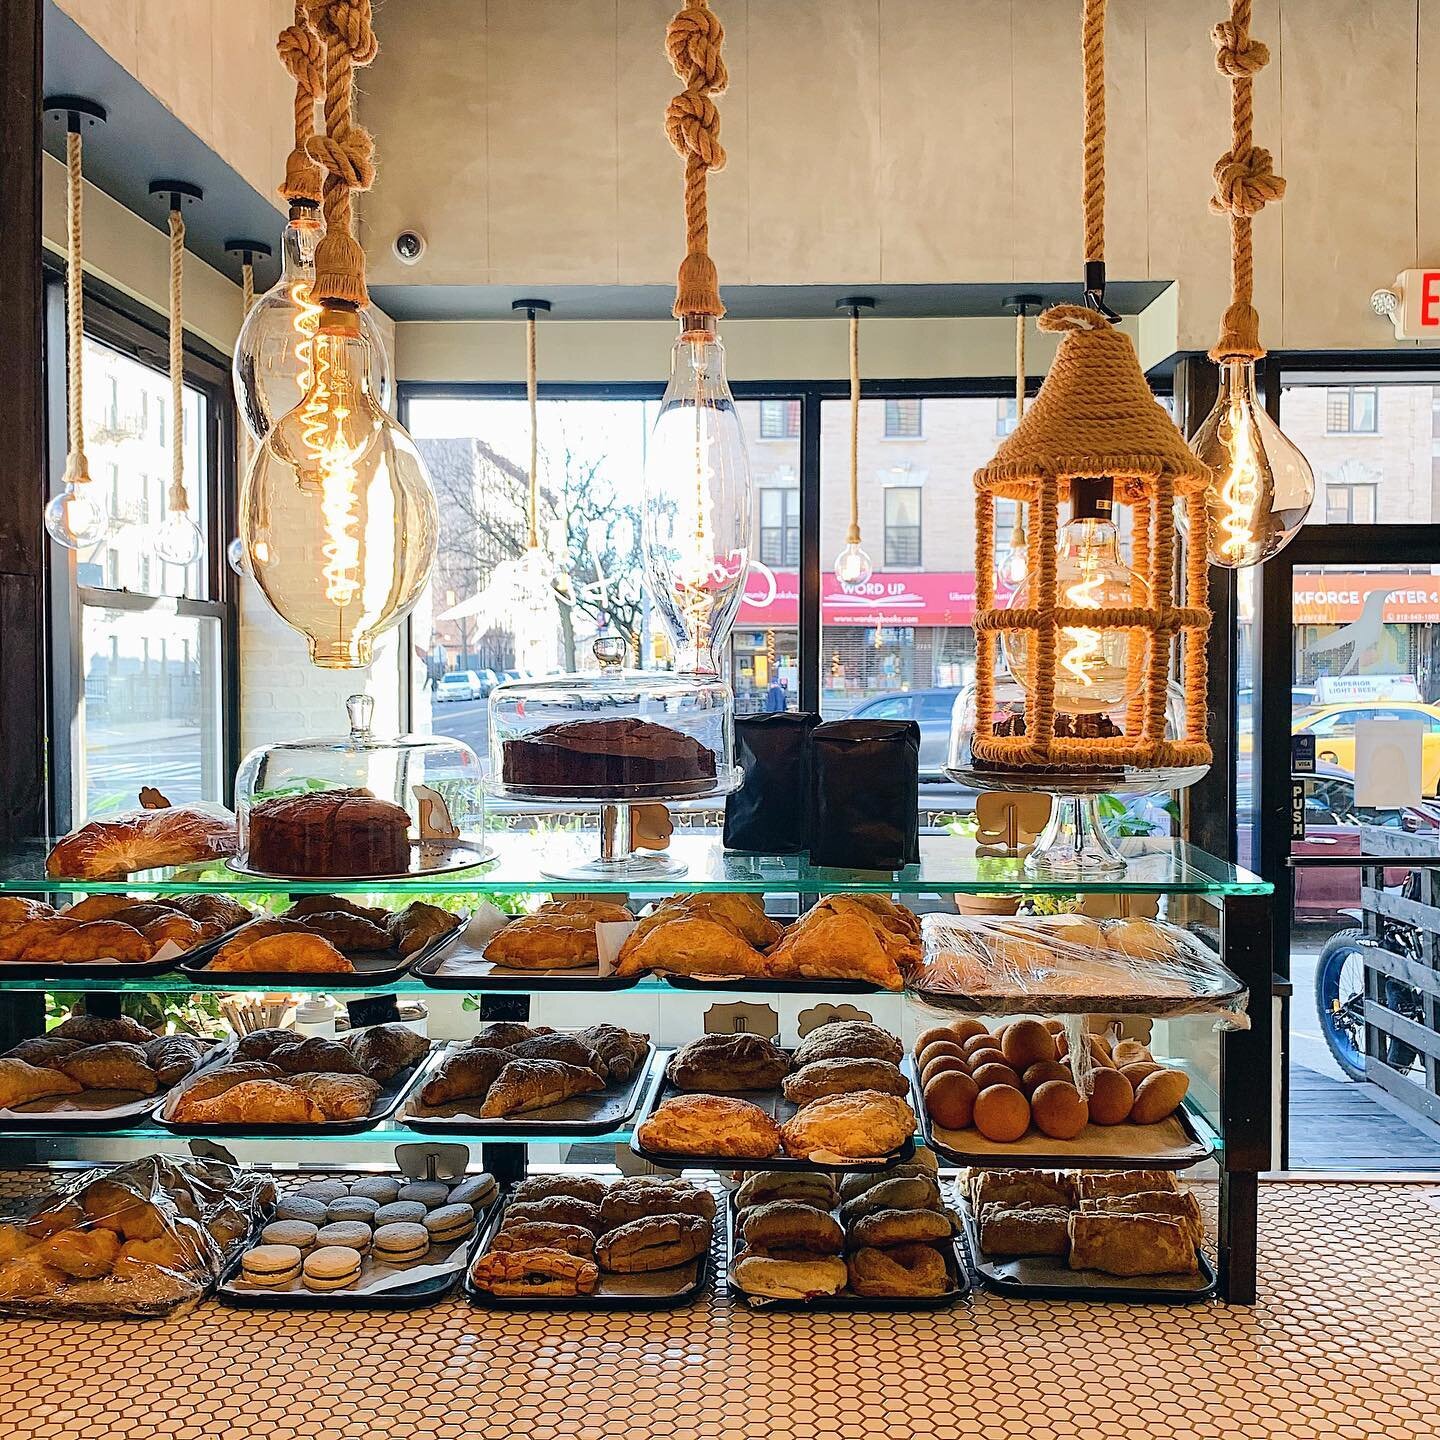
(1264, 486)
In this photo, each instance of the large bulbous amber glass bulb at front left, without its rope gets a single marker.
(338, 512)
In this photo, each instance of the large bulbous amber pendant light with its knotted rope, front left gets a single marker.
(338, 512)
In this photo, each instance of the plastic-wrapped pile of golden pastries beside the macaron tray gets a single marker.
(143, 1239)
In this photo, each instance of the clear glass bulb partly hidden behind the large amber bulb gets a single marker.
(273, 354)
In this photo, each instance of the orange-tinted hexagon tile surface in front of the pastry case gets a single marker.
(1346, 1343)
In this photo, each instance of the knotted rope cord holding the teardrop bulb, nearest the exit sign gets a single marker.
(1245, 181)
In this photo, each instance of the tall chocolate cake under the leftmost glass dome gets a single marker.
(330, 834)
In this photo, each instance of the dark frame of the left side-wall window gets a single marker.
(140, 335)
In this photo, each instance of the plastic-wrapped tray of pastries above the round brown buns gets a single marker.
(1072, 966)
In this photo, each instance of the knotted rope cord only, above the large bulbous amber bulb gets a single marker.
(346, 152)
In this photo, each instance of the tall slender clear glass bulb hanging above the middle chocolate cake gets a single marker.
(698, 502)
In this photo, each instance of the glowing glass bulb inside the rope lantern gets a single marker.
(1094, 670)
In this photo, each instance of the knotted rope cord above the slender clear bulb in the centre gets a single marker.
(693, 126)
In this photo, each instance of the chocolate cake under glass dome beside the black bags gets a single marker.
(621, 758)
